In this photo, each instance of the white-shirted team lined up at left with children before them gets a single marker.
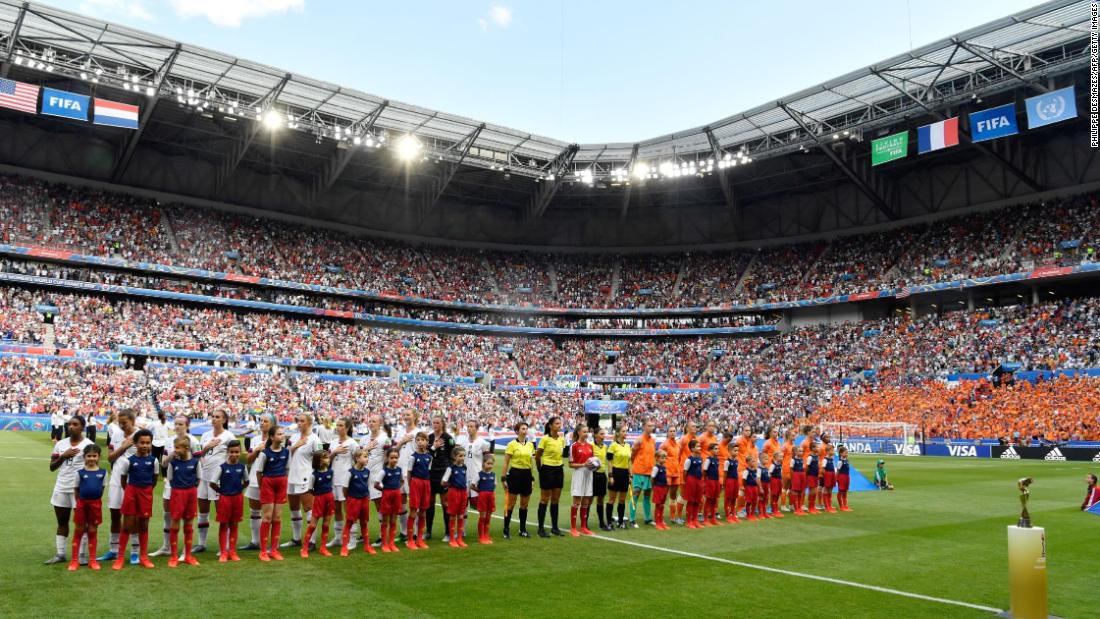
(324, 484)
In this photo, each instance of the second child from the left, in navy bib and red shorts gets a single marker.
(138, 474)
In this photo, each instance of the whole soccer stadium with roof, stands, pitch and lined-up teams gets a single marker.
(838, 353)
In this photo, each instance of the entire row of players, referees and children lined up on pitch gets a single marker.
(403, 477)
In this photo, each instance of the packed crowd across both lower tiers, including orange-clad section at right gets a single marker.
(851, 372)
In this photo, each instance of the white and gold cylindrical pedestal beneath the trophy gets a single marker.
(1027, 573)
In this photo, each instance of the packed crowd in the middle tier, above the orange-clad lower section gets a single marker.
(900, 349)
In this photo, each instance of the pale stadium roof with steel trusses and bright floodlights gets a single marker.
(988, 59)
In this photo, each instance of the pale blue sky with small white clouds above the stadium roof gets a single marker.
(596, 71)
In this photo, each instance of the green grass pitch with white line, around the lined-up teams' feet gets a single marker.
(941, 535)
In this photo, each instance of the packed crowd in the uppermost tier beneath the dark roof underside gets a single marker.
(1057, 233)
